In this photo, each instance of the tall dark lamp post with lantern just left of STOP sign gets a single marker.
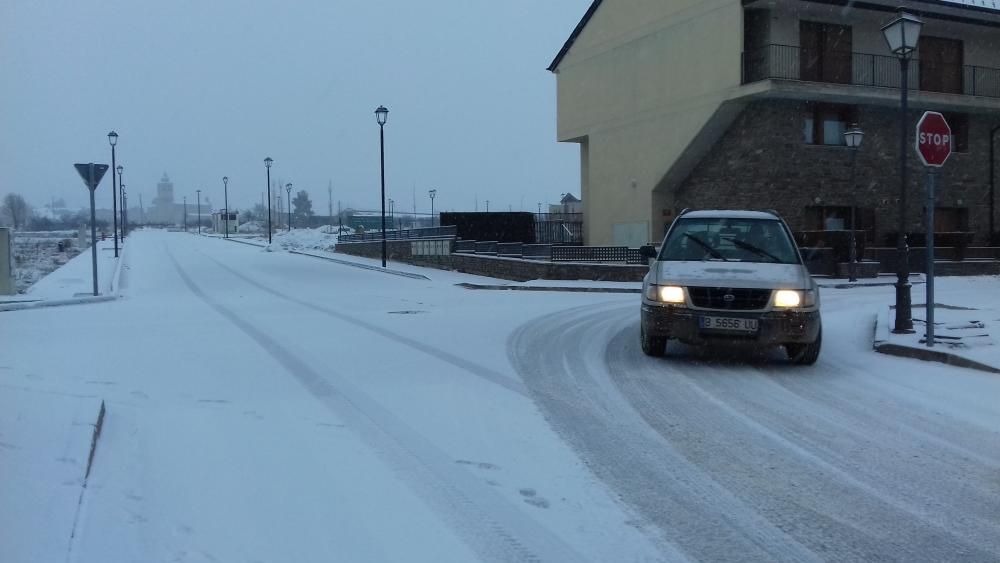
(902, 35)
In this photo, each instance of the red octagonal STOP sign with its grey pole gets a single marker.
(934, 147)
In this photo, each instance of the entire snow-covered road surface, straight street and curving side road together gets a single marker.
(270, 407)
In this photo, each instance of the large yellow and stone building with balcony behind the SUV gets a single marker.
(665, 98)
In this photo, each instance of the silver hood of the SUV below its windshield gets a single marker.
(734, 274)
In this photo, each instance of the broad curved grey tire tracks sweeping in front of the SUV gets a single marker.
(752, 450)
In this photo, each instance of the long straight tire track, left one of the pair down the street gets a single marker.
(481, 517)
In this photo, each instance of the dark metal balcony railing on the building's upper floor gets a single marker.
(796, 63)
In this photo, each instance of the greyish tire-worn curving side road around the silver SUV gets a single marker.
(746, 458)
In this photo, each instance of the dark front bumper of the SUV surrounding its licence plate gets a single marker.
(773, 327)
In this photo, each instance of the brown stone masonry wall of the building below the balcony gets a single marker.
(763, 162)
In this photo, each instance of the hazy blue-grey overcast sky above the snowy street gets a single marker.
(201, 89)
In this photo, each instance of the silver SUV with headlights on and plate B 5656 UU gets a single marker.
(725, 277)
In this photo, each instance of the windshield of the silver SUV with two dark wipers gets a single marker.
(729, 239)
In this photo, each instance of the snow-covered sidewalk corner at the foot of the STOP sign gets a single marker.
(966, 327)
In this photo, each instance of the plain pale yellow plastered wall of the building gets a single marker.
(641, 80)
